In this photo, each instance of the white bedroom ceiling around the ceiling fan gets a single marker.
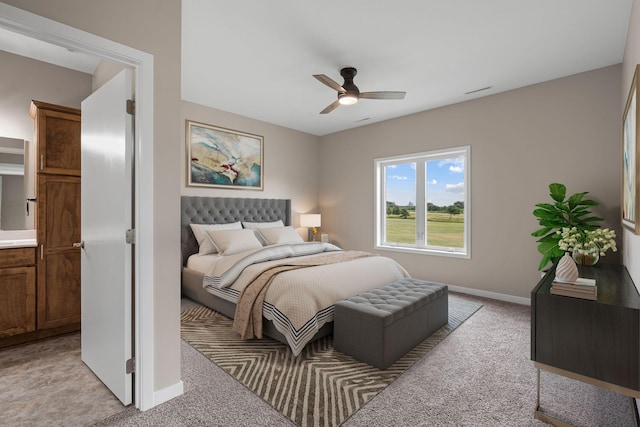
(256, 58)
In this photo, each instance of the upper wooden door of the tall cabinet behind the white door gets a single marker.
(57, 139)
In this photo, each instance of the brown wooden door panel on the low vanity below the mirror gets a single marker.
(17, 300)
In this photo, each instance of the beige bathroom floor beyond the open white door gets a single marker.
(47, 384)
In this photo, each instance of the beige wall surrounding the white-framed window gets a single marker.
(566, 130)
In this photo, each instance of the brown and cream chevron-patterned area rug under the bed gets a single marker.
(320, 387)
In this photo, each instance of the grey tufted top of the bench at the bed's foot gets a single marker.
(395, 300)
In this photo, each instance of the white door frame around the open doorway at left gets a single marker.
(41, 28)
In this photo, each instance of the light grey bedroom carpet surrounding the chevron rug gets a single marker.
(480, 375)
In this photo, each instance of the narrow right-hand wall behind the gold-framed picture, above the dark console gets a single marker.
(631, 242)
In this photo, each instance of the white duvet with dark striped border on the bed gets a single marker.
(299, 302)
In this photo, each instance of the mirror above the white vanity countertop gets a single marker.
(15, 185)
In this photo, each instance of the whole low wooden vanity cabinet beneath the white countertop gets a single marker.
(17, 291)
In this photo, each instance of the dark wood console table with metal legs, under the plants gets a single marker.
(597, 342)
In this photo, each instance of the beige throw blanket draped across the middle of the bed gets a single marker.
(248, 316)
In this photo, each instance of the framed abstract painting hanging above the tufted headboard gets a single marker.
(223, 158)
